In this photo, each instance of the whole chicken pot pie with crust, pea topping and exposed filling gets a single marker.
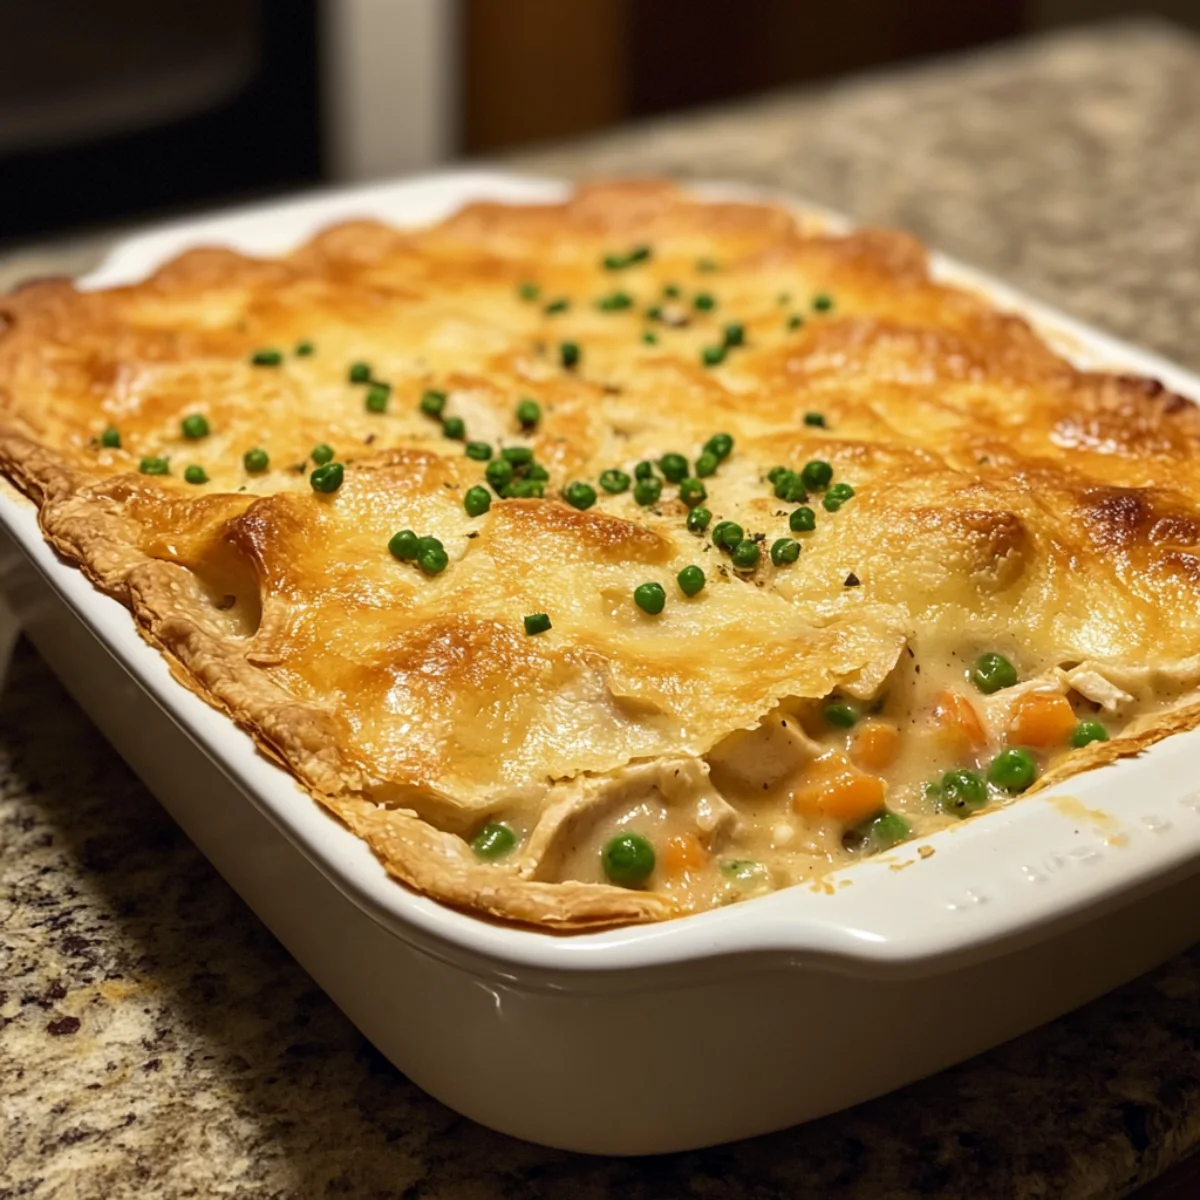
(608, 561)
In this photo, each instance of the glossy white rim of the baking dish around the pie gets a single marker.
(1101, 837)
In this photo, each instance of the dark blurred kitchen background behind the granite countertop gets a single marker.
(119, 110)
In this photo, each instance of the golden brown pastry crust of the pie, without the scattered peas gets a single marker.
(1003, 495)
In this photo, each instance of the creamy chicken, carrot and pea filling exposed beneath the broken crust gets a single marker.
(820, 784)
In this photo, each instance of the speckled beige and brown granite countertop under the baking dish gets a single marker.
(157, 1041)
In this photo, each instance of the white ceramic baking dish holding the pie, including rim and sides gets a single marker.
(681, 1035)
